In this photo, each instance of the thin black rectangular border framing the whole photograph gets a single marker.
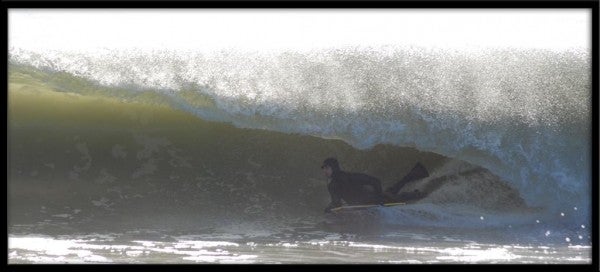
(593, 5)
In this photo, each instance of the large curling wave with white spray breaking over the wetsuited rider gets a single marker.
(503, 130)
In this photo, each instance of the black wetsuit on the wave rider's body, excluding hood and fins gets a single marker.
(354, 189)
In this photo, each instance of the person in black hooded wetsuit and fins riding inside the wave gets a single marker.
(362, 189)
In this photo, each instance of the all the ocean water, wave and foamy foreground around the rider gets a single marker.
(165, 156)
